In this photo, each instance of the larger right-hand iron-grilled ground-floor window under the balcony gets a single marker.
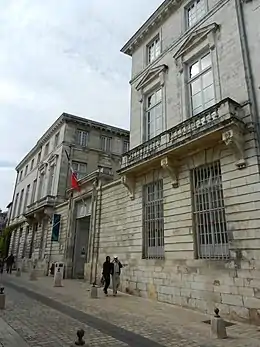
(209, 212)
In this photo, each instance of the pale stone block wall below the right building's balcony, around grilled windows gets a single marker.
(232, 285)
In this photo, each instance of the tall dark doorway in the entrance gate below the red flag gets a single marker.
(81, 246)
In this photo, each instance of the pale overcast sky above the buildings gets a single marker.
(61, 56)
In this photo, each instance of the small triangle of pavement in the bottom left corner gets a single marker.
(9, 337)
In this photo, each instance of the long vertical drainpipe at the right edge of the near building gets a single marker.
(248, 75)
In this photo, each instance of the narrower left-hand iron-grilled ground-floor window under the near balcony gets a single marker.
(153, 220)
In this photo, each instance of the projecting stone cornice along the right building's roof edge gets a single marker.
(163, 11)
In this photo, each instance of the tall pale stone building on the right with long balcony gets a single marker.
(185, 214)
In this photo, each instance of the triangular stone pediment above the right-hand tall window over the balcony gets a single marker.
(195, 38)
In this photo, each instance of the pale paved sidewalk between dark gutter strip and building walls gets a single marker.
(165, 324)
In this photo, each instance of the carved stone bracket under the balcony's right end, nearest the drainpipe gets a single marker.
(234, 138)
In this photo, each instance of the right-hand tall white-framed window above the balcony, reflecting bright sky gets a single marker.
(201, 84)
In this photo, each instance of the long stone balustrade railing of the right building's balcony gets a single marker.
(217, 116)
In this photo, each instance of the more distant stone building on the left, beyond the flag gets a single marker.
(43, 178)
